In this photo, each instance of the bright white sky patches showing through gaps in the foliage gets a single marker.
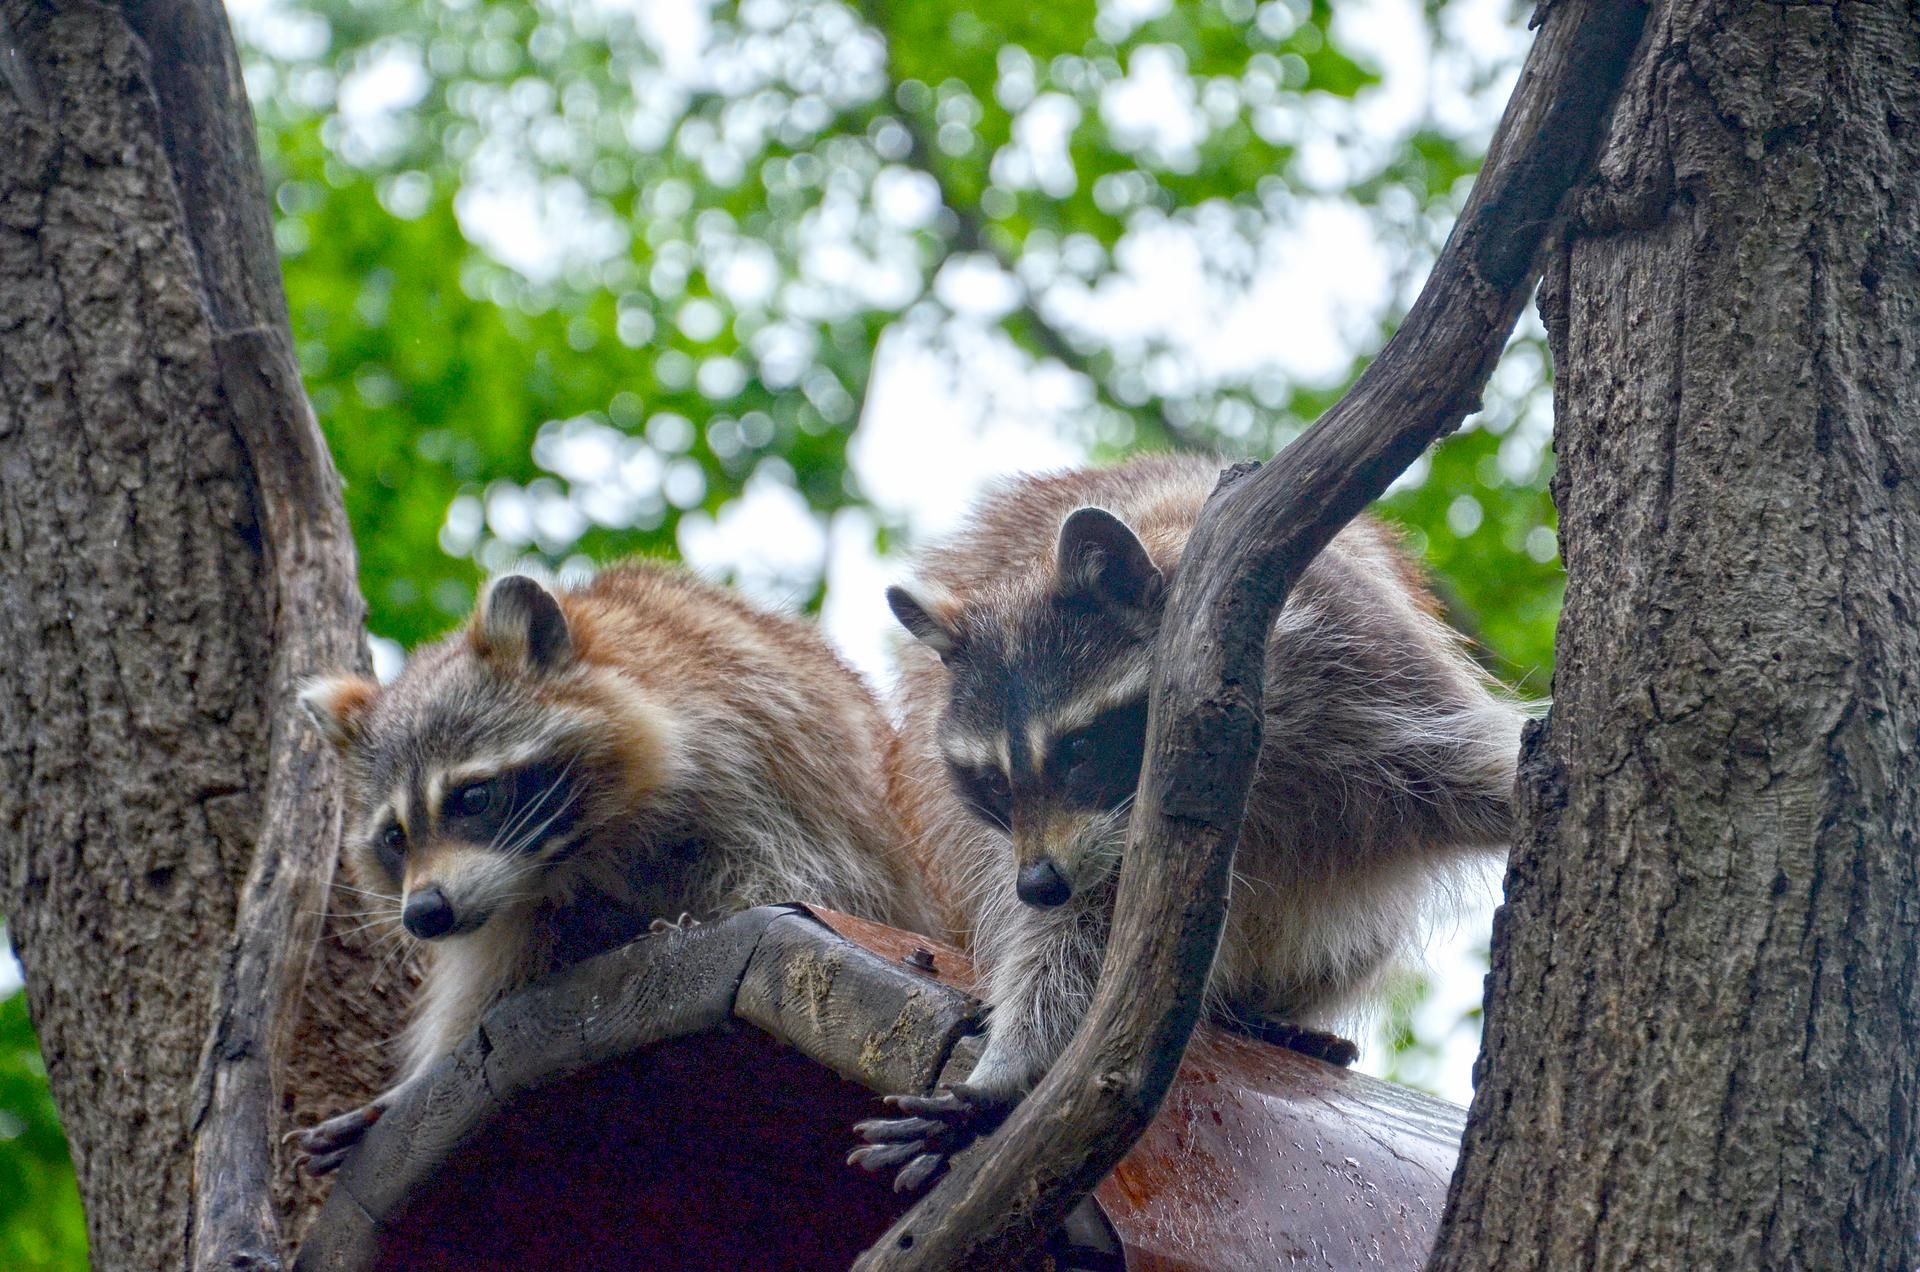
(924, 449)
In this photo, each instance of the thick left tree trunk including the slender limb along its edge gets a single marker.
(176, 558)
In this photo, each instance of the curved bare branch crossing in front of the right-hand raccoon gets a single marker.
(1255, 539)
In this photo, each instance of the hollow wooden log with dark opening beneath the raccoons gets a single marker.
(686, 1102)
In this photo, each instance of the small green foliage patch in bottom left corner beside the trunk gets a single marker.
(41, 1223)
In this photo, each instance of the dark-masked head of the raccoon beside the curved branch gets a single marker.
(1047, 720)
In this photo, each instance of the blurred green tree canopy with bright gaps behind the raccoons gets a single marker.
(573, 276)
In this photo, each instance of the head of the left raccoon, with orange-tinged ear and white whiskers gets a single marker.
(481, 768)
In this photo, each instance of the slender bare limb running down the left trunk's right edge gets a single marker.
(316, 614)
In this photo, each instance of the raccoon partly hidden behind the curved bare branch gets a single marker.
(1387, 760)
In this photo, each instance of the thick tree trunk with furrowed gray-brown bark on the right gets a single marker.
(1706, 1006)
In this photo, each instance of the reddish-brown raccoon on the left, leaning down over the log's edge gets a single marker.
(581, 764)
